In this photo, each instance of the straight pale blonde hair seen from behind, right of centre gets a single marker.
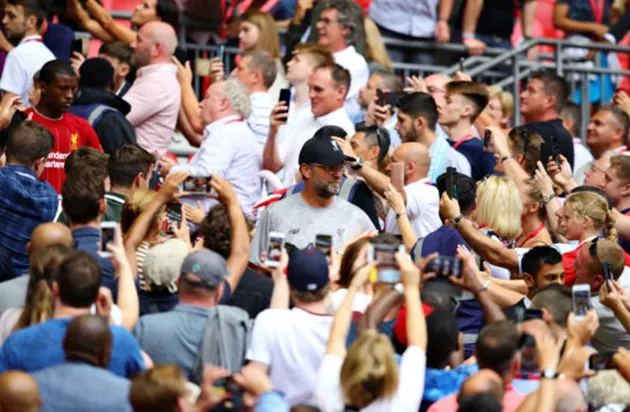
(499, 206)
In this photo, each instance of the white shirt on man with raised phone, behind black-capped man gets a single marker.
(294, 134)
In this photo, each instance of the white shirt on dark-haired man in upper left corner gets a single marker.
(22, 63)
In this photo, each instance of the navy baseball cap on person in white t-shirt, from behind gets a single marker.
(307, 270)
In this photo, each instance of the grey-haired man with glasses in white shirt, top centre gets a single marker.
(338, 28)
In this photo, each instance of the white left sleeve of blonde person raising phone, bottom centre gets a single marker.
(328, 395)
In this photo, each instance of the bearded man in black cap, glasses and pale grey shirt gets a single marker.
(317, 209)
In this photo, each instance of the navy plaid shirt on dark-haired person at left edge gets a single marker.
(25, 203)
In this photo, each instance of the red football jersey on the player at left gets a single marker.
(70, 133)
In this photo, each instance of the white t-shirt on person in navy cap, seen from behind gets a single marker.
(292, 342)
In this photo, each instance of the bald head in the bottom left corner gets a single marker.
(18, 392)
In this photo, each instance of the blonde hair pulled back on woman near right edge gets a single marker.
(595, 207)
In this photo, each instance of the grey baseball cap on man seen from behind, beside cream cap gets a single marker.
(209, 266)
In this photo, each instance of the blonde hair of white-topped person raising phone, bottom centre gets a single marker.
(369, 371)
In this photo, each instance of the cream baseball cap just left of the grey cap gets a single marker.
(163, 262)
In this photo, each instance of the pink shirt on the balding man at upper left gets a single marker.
(155, 98)
